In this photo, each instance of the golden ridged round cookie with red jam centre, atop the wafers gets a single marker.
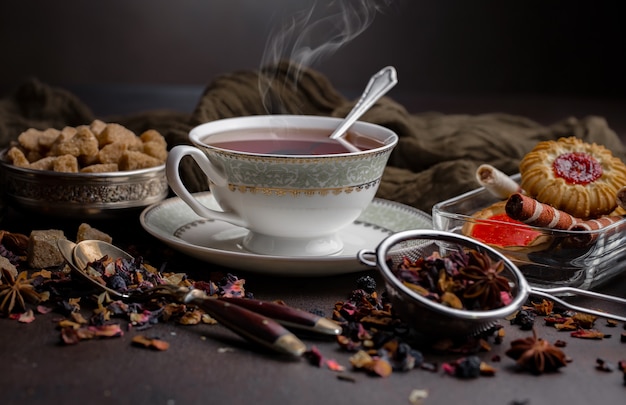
(569, 174)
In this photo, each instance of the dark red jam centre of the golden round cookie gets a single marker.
(577, 168)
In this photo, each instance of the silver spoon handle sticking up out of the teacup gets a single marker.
(378, 85)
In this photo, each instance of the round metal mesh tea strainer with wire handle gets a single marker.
(435, 320)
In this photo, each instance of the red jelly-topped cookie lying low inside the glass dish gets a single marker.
(494, 227)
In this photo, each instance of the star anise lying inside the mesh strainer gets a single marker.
(486, 283)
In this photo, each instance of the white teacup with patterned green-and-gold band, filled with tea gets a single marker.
(283, 179)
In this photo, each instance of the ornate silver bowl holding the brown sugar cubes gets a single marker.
(76, 195)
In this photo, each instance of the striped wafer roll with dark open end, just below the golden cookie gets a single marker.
(532, 212)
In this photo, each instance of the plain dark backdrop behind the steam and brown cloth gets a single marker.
(571, 49)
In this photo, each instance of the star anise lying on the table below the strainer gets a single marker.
(536, 355)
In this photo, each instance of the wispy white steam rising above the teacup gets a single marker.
(310, 35)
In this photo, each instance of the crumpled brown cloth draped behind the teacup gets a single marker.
(435, 159)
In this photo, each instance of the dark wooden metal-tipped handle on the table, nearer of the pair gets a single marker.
(248, 324)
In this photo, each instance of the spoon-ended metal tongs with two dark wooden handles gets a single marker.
(261, 322)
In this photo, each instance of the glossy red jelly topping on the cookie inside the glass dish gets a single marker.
(502, 234)
